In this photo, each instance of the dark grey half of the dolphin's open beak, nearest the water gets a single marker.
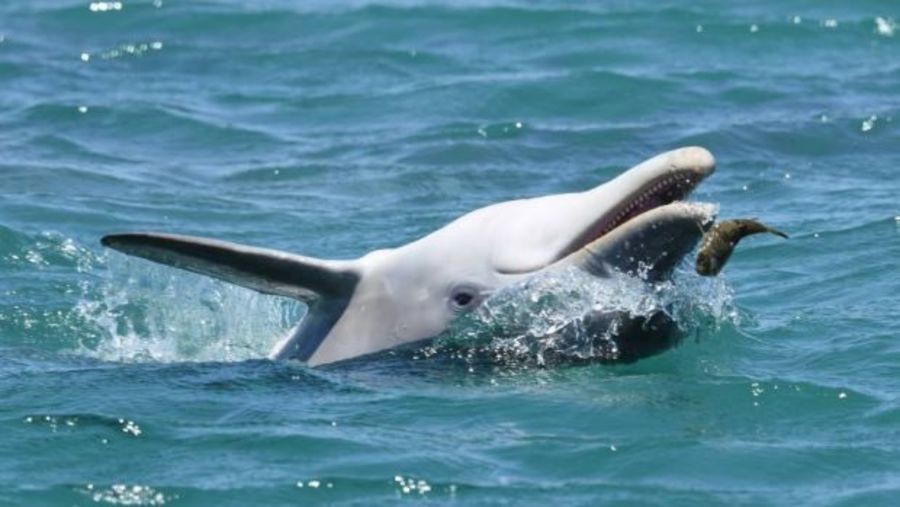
(650, 244)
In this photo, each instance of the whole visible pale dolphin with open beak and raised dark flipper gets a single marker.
(401, 295)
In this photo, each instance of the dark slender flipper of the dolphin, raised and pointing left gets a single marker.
(263, 270)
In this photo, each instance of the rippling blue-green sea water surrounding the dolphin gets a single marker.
(333, 129)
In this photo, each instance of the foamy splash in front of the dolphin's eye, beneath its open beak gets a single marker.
(546, 317)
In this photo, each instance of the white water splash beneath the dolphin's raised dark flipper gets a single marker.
(142, 312)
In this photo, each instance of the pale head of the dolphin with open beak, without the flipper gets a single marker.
(413, 292)
